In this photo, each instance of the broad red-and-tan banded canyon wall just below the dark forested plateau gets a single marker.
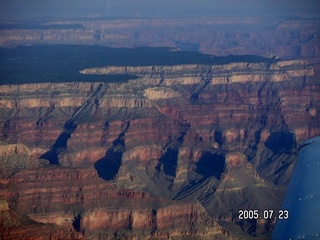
(189, 102)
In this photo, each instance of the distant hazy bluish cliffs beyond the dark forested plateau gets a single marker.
(218, 36)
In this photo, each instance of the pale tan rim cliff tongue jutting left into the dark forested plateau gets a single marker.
(218, 74)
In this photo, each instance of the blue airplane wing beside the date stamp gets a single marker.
(302, 200)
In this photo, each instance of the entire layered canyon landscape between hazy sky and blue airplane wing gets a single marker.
(173, 151)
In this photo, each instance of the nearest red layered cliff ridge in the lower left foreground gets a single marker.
(78, 200)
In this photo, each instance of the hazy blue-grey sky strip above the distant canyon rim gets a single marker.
(75, 9)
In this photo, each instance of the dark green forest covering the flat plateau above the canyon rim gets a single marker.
(62, 63)
